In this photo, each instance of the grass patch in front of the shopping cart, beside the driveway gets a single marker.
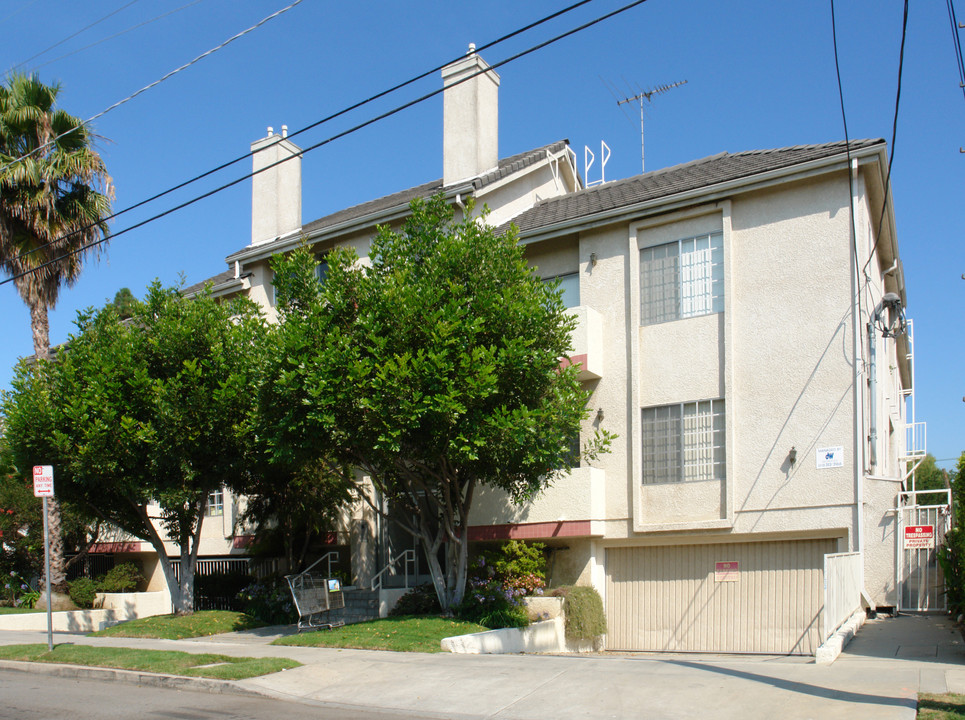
(403, 634)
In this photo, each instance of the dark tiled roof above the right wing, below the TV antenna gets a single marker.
(668, 182)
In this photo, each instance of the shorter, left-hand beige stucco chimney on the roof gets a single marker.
(276, 193)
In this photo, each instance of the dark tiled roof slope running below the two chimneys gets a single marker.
(507, 166)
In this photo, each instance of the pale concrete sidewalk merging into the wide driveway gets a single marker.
(878, 676)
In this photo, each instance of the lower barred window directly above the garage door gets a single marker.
(683, 443)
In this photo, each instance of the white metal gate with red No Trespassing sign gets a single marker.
(921, 582)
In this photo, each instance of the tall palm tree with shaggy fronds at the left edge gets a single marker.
(55, 196)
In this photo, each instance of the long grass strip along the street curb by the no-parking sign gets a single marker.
(170, 662)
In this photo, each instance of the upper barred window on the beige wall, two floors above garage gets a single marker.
(682, 279)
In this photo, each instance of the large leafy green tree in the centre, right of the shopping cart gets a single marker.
(432, 370)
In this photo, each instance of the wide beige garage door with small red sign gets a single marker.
(741, 597)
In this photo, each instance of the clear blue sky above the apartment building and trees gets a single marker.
(760, 75)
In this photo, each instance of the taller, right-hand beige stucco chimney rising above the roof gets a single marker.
(470, 118)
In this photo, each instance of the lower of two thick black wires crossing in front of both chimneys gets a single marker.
(337, 136)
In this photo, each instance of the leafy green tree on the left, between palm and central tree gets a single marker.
(144, 412)
